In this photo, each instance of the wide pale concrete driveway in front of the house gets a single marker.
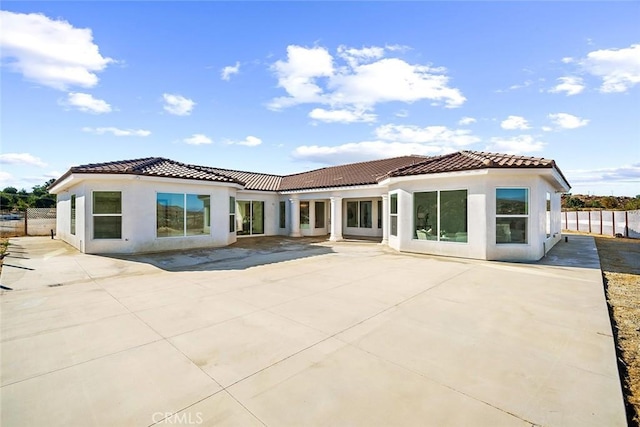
(307, 333)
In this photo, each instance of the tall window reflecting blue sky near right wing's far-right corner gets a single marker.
(512, 215)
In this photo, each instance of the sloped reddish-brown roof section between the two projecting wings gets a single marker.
(362, 173)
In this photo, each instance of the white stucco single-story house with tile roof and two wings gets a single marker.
(465, 204)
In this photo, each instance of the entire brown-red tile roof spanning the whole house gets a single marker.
(362, 173)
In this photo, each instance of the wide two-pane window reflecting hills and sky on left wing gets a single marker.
(179, 215)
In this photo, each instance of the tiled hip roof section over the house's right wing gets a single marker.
(470, 160)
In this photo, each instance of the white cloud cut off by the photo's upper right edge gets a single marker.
(618, 68)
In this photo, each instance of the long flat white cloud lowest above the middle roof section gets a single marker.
(362, 151)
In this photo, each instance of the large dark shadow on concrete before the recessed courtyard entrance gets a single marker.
(246, 253)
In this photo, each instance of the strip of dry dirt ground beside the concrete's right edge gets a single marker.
(620, 263)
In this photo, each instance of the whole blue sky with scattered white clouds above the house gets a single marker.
(283, 87)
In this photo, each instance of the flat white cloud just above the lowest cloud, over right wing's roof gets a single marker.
(433, 135)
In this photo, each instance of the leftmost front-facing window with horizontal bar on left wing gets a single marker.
(107, 215)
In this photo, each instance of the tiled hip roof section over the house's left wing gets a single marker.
(151, 166)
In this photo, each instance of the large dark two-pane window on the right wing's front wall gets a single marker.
(441, 216)
